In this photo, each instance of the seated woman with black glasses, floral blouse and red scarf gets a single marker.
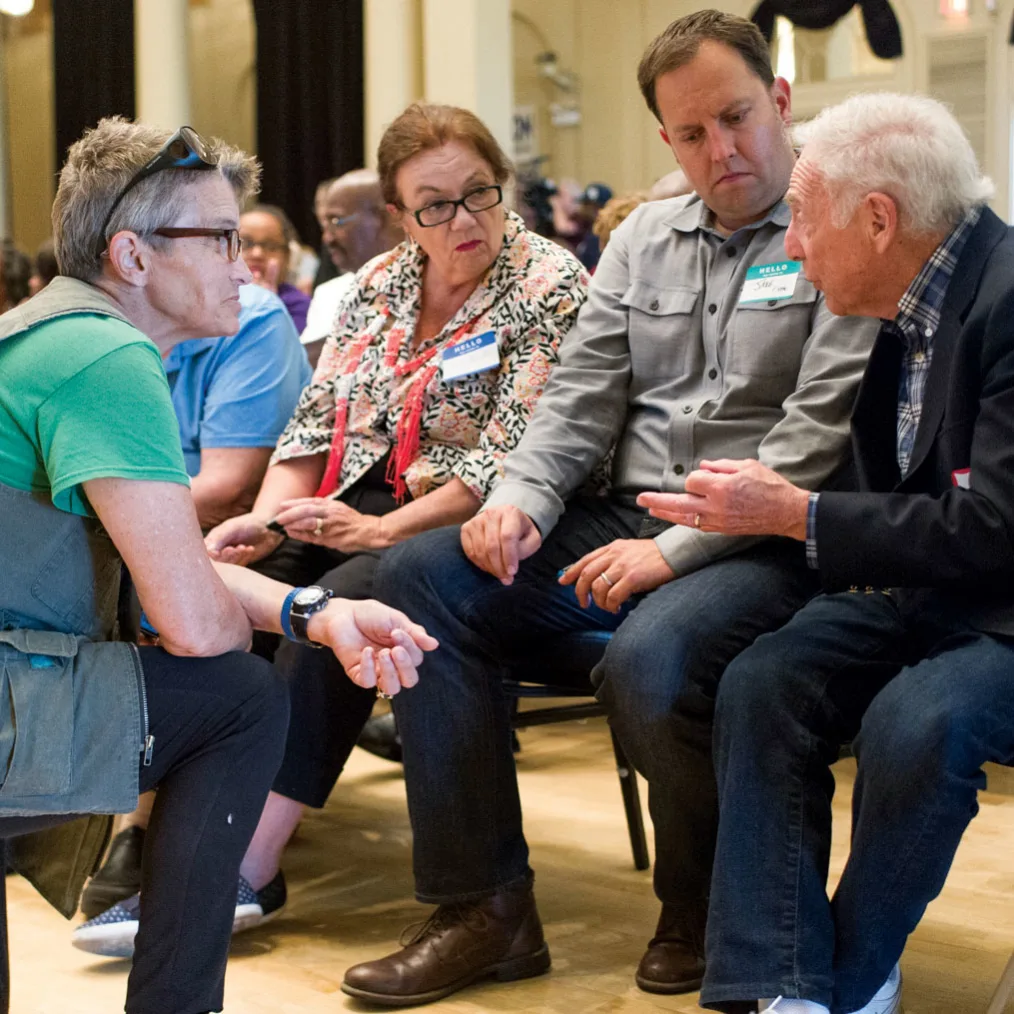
(433, 368)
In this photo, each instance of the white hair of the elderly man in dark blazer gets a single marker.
(910, 148)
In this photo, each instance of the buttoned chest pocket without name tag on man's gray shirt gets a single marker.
(662, 324)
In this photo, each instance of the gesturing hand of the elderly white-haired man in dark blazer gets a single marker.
(737, 498)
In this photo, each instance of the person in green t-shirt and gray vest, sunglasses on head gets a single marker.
(93, 477)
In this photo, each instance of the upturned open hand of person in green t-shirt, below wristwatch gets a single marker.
(377, 645)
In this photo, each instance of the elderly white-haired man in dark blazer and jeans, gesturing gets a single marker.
(910, 650)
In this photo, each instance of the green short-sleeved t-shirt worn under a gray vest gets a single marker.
(85, 397)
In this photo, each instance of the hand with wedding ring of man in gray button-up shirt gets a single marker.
(633, 565)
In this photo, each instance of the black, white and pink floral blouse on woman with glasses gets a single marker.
(530, 298)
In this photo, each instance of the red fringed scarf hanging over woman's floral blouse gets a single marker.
(407, 437)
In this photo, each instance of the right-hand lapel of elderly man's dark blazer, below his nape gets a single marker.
(961, 293)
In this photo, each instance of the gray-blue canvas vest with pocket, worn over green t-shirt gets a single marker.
(73, 712)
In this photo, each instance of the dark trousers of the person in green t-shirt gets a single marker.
(220, 729)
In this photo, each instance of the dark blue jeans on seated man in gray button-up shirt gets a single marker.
(456, 725)
